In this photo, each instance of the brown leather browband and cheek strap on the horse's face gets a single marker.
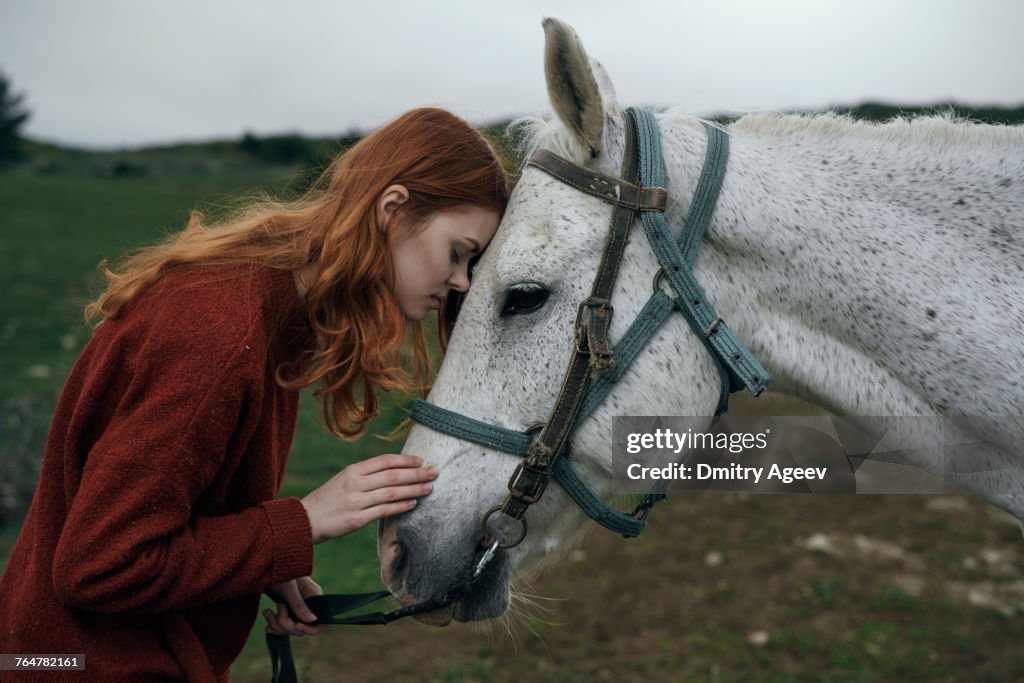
(592, 350)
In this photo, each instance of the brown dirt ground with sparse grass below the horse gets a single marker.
(739, 588)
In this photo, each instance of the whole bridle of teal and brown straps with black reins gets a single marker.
(595, 365)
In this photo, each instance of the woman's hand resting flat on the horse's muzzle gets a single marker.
(366, 492)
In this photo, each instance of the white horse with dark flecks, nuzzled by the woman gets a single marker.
(873, 270)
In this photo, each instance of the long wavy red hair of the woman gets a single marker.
(335, 227)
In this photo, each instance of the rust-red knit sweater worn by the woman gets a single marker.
(154, 529)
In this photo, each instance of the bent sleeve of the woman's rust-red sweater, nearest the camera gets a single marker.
(132, 543)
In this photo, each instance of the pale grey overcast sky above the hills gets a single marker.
(112, 73)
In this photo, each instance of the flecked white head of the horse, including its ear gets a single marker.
(509, 351)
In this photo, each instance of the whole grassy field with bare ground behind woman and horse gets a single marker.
(723, 588)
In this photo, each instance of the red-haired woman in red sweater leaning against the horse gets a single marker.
(155, 529)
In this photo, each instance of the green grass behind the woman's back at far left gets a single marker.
(56, 229)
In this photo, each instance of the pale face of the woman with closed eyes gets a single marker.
(434, 259)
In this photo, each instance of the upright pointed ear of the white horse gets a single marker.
(580, 91)
